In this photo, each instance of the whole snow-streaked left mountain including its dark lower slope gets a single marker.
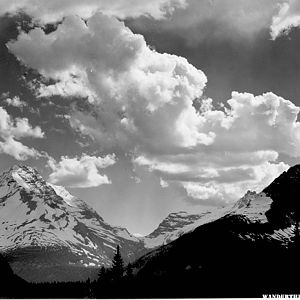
(47, 234)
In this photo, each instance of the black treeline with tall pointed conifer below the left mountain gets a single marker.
(114, 282)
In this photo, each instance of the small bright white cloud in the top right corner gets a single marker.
(287, 18)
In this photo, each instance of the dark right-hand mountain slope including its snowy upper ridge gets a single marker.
(246, 250)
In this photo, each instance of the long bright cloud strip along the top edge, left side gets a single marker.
(52, 11)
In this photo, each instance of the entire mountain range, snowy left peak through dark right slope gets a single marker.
(47, 234)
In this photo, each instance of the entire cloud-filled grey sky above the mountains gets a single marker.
(143, 108)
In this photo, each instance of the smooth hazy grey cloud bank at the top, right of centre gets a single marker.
(214, 21)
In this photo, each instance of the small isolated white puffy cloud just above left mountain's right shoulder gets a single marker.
(80, 172)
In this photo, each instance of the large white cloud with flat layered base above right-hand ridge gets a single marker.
(249, 134)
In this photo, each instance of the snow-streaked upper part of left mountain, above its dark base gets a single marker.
(37, 214)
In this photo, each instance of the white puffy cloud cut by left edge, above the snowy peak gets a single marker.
(11, 131)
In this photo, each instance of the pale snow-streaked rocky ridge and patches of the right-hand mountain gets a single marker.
(253, 208)
